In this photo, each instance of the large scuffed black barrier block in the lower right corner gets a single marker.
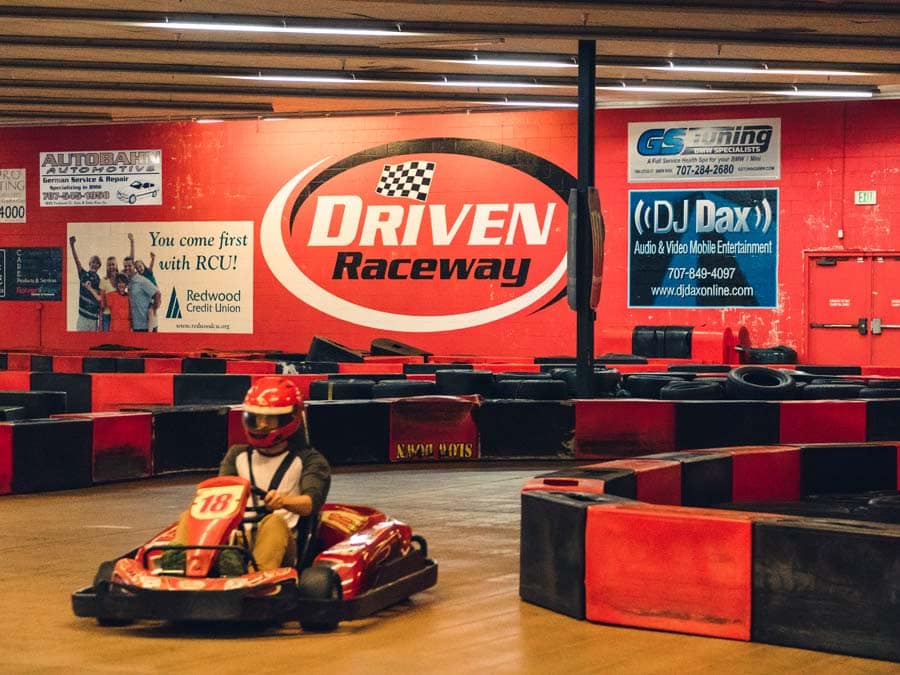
(807, 573)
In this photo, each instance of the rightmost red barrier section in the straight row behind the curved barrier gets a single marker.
(823, 421)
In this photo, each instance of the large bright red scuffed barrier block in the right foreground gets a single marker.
(669, 568)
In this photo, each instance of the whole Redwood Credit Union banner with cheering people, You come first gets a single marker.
(169, 277)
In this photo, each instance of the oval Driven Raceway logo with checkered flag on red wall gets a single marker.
(423, 235)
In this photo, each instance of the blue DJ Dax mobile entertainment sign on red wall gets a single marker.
(704, 248)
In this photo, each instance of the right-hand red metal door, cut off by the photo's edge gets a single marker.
(885, 323)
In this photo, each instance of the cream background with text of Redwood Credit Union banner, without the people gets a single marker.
(203, 270)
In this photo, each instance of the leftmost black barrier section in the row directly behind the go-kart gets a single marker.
(51, 455)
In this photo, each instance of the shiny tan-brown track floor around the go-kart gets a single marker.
(472, 622)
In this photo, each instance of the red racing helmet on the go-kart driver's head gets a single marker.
(273, 411)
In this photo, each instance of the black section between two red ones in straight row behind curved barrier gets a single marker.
(718, 424)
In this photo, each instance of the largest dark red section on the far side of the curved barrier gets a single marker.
(763, 472)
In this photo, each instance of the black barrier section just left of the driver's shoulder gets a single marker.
(187, 437)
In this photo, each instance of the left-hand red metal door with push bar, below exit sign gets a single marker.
(839, 303)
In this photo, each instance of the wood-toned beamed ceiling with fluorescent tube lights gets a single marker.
(103, 62)
